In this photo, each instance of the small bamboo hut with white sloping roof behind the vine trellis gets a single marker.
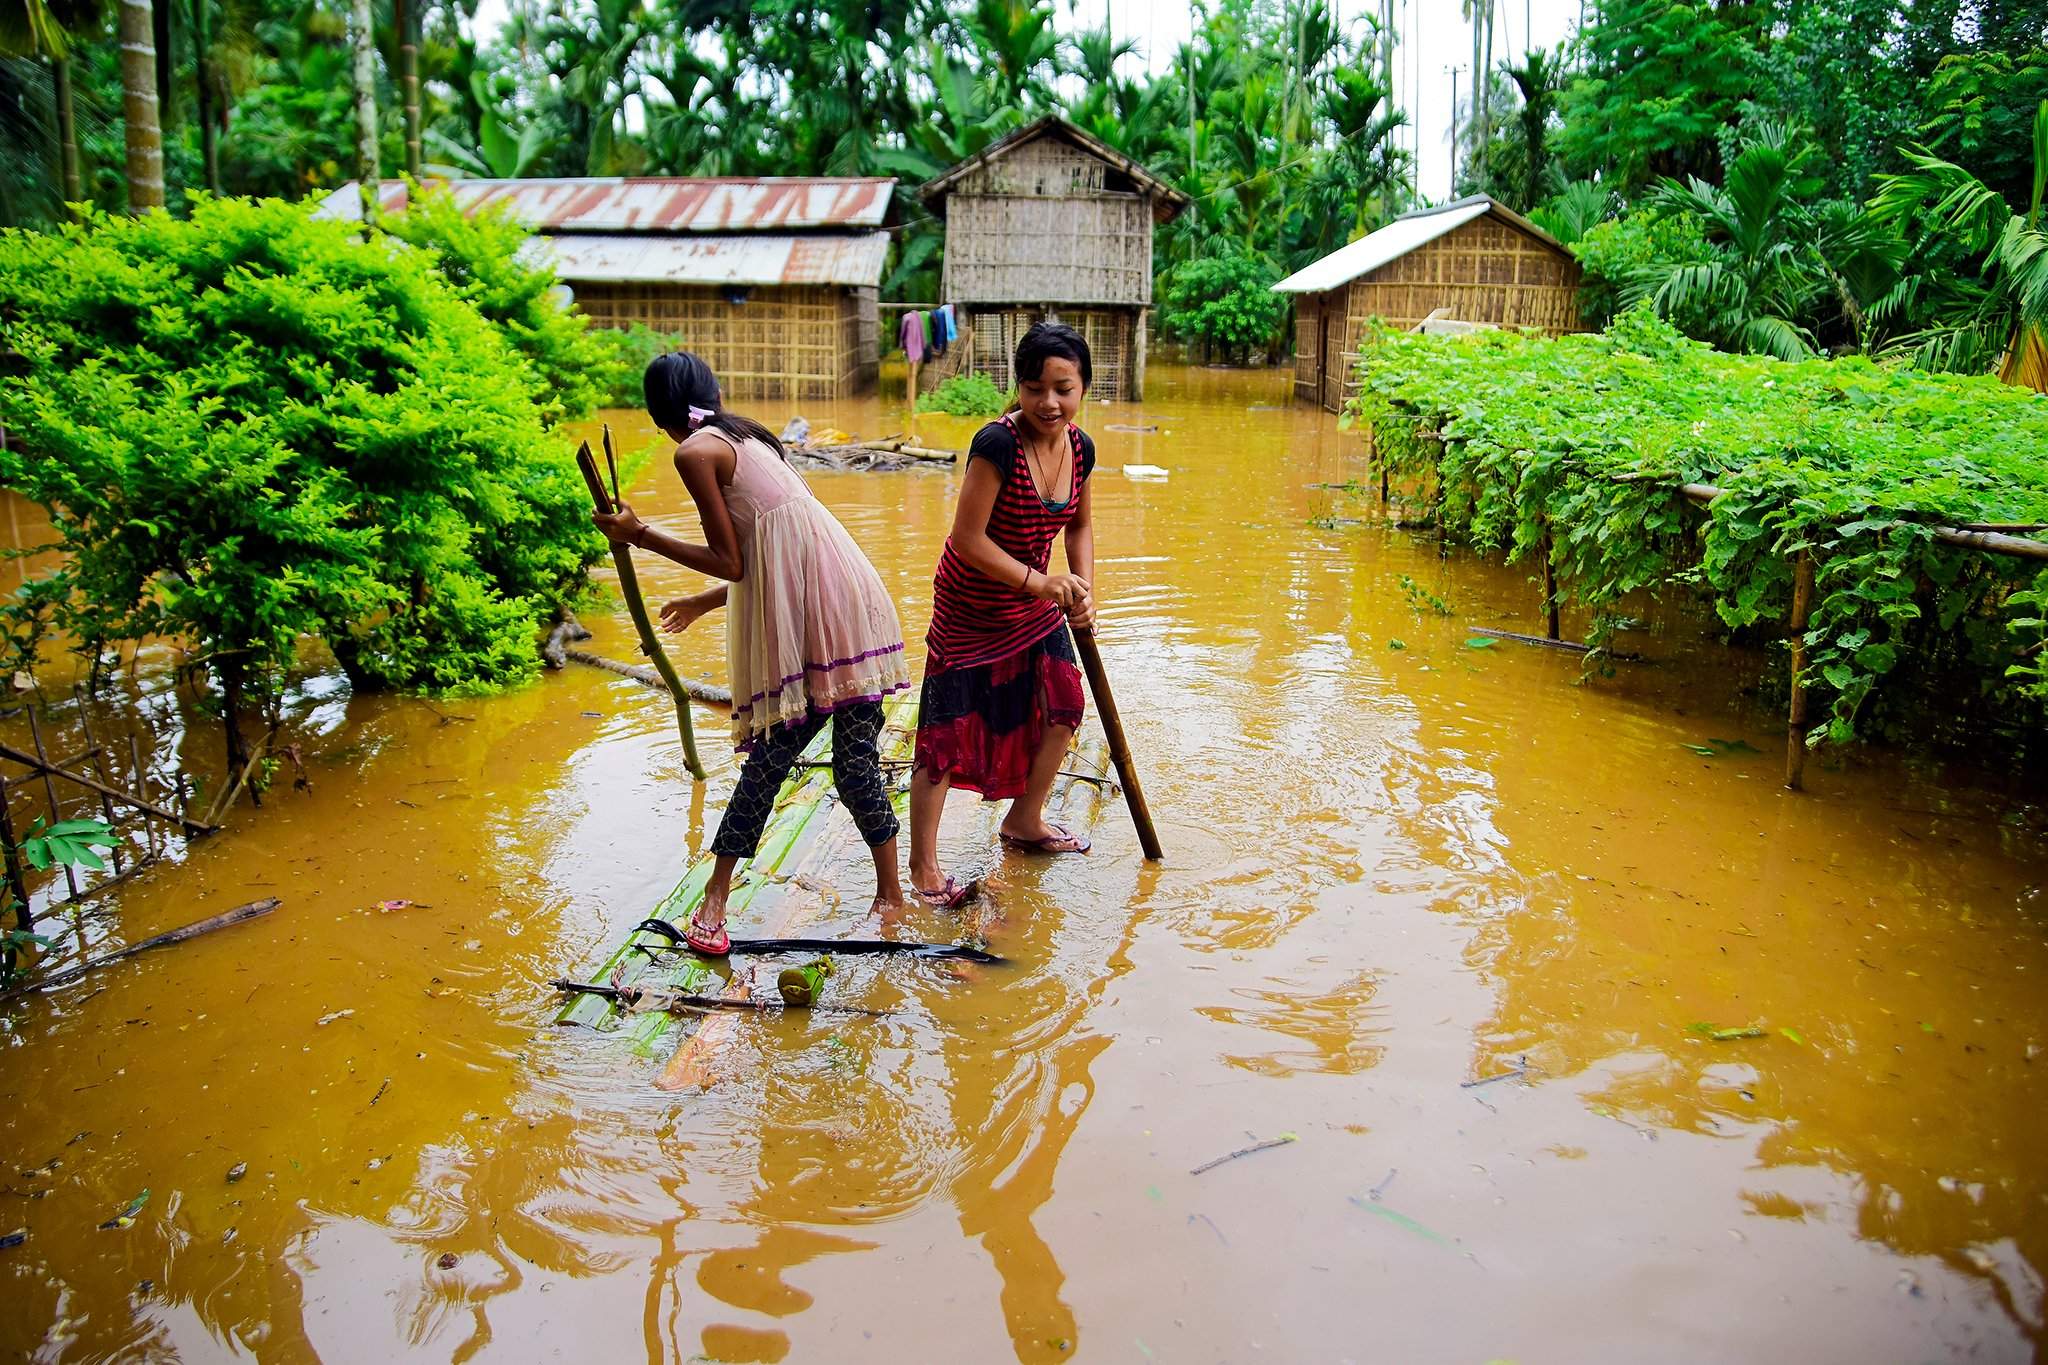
(1471, 259)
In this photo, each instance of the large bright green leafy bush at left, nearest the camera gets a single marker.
(253, 429)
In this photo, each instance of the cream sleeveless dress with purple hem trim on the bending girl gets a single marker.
(808, 627)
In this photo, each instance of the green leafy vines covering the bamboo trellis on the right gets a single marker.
(1846, 459)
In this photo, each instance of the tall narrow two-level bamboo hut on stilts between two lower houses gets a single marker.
(1052, 224)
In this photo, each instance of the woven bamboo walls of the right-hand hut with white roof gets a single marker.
(1484, 273)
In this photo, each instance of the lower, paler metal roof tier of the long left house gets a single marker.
(744, 259)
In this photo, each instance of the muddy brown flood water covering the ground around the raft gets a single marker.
(1392, 871)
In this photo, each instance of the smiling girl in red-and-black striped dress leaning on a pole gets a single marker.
(1002, 691)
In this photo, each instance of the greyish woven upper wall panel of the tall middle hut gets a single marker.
(1050, 251)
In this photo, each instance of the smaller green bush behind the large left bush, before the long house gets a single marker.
(480, 255)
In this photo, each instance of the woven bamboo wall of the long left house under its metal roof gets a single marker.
(794, 343)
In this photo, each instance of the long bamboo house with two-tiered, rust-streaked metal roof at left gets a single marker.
(773, 281)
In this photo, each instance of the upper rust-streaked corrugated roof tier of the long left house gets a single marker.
(656, 204)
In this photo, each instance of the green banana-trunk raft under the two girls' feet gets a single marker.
(777, 895)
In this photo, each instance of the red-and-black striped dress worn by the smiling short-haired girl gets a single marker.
(1000, 664)
